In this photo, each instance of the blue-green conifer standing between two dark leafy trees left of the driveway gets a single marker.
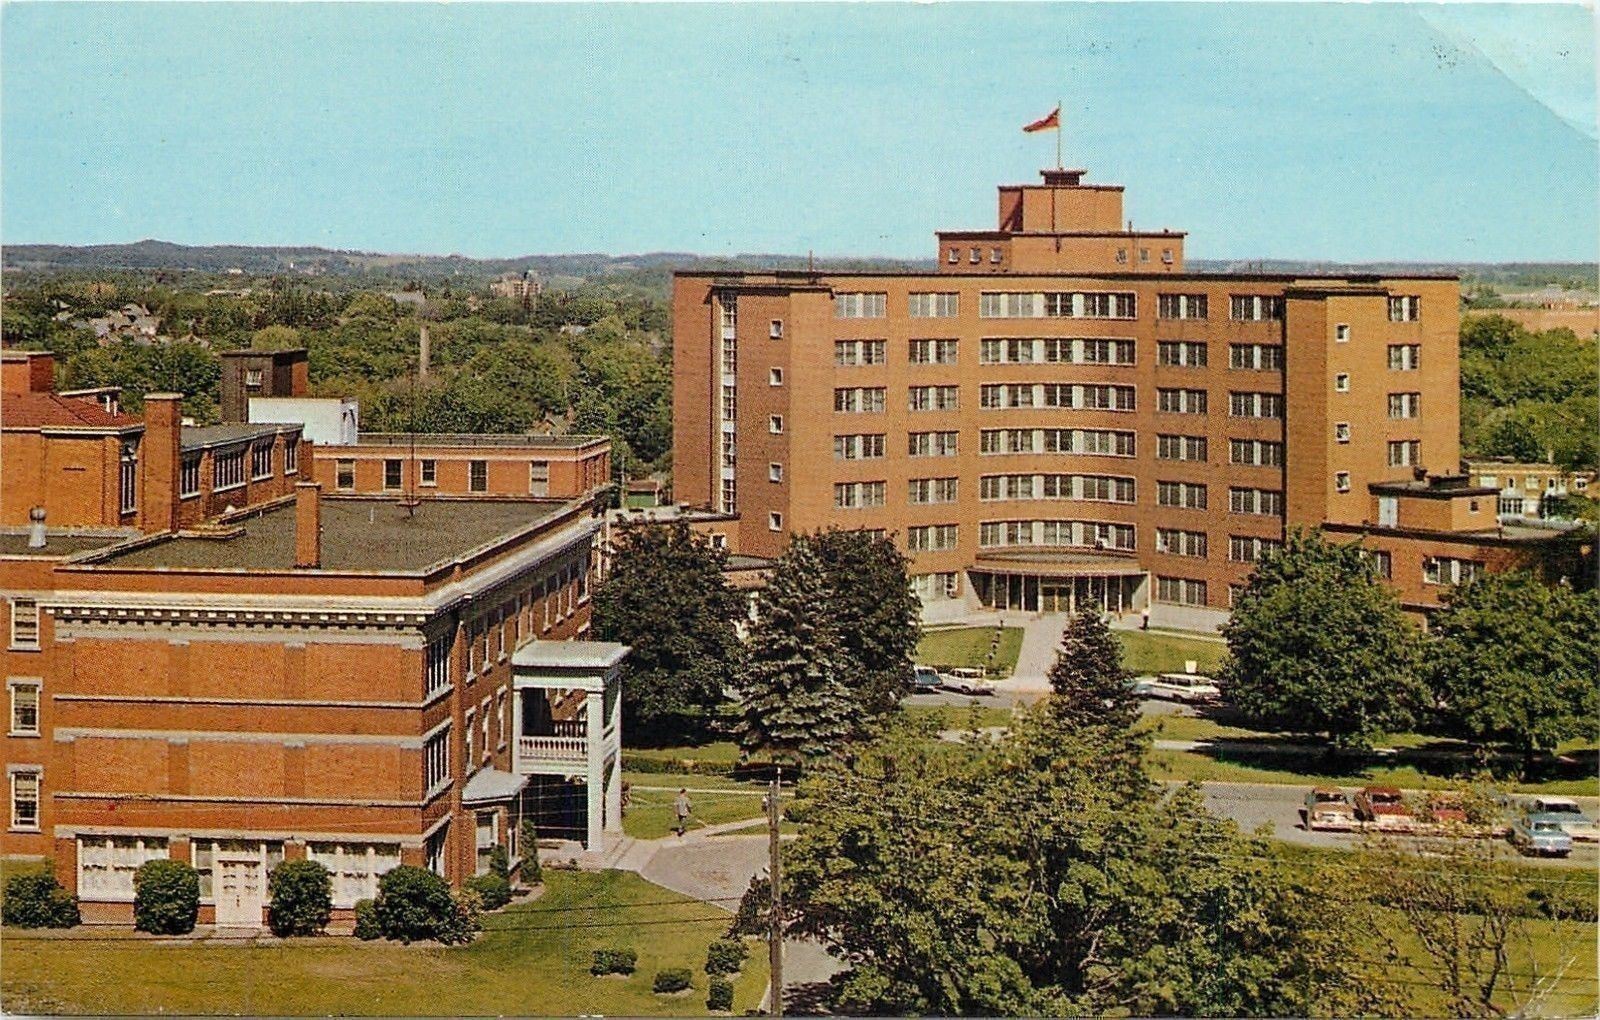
(798, 682)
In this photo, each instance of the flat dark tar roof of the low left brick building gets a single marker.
(358, 535)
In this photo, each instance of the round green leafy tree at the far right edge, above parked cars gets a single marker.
(1514, 661)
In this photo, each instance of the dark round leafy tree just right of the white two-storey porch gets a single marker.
(668, 599)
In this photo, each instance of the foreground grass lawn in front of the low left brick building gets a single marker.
(532, 960)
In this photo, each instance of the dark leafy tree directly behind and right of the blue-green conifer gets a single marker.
(876, 612)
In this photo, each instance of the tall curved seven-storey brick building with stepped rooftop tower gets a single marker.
(1060, 413)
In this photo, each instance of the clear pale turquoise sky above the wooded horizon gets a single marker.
(1268, 132)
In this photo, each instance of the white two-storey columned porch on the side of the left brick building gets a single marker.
(570, 723)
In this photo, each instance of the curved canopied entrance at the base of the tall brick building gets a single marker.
(1060, 583)
